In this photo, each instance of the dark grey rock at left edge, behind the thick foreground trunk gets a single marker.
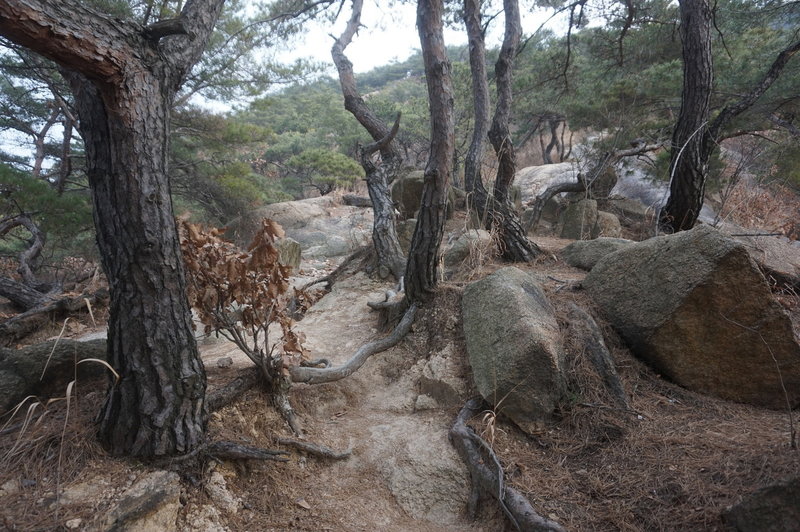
(22, 371)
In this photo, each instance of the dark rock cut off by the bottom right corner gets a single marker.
(772, 509)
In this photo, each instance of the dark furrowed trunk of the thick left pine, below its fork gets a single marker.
(150, 337)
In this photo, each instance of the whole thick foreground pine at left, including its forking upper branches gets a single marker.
(124, 78)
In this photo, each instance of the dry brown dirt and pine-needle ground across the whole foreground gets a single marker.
(673, 461)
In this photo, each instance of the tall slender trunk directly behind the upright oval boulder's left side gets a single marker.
(423, 257)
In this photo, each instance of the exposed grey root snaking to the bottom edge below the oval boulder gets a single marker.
(487, 475)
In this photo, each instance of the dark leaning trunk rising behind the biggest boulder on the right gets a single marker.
(690, 144)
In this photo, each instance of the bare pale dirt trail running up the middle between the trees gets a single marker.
(403, 473)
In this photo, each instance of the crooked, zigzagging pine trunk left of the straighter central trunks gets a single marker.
(384, 232)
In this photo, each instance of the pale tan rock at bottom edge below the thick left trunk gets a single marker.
(150, 505)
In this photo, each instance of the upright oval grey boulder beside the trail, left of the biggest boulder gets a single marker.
(514, 346)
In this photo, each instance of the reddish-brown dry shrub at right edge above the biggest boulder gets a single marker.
(773, 207)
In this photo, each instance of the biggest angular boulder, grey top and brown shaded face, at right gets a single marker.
(697, 308)
